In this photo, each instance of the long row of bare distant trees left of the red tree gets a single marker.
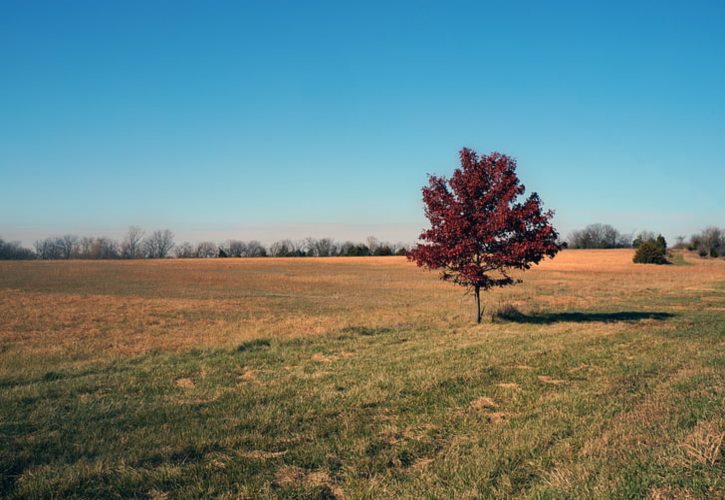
(160, 245)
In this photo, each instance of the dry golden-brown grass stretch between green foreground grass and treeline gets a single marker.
(86, 308)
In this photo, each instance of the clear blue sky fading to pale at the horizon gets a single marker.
(267, 119)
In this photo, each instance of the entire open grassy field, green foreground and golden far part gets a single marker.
(360, 377)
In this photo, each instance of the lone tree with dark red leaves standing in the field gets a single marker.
(479, 230)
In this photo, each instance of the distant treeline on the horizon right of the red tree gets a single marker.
(710, 242)
